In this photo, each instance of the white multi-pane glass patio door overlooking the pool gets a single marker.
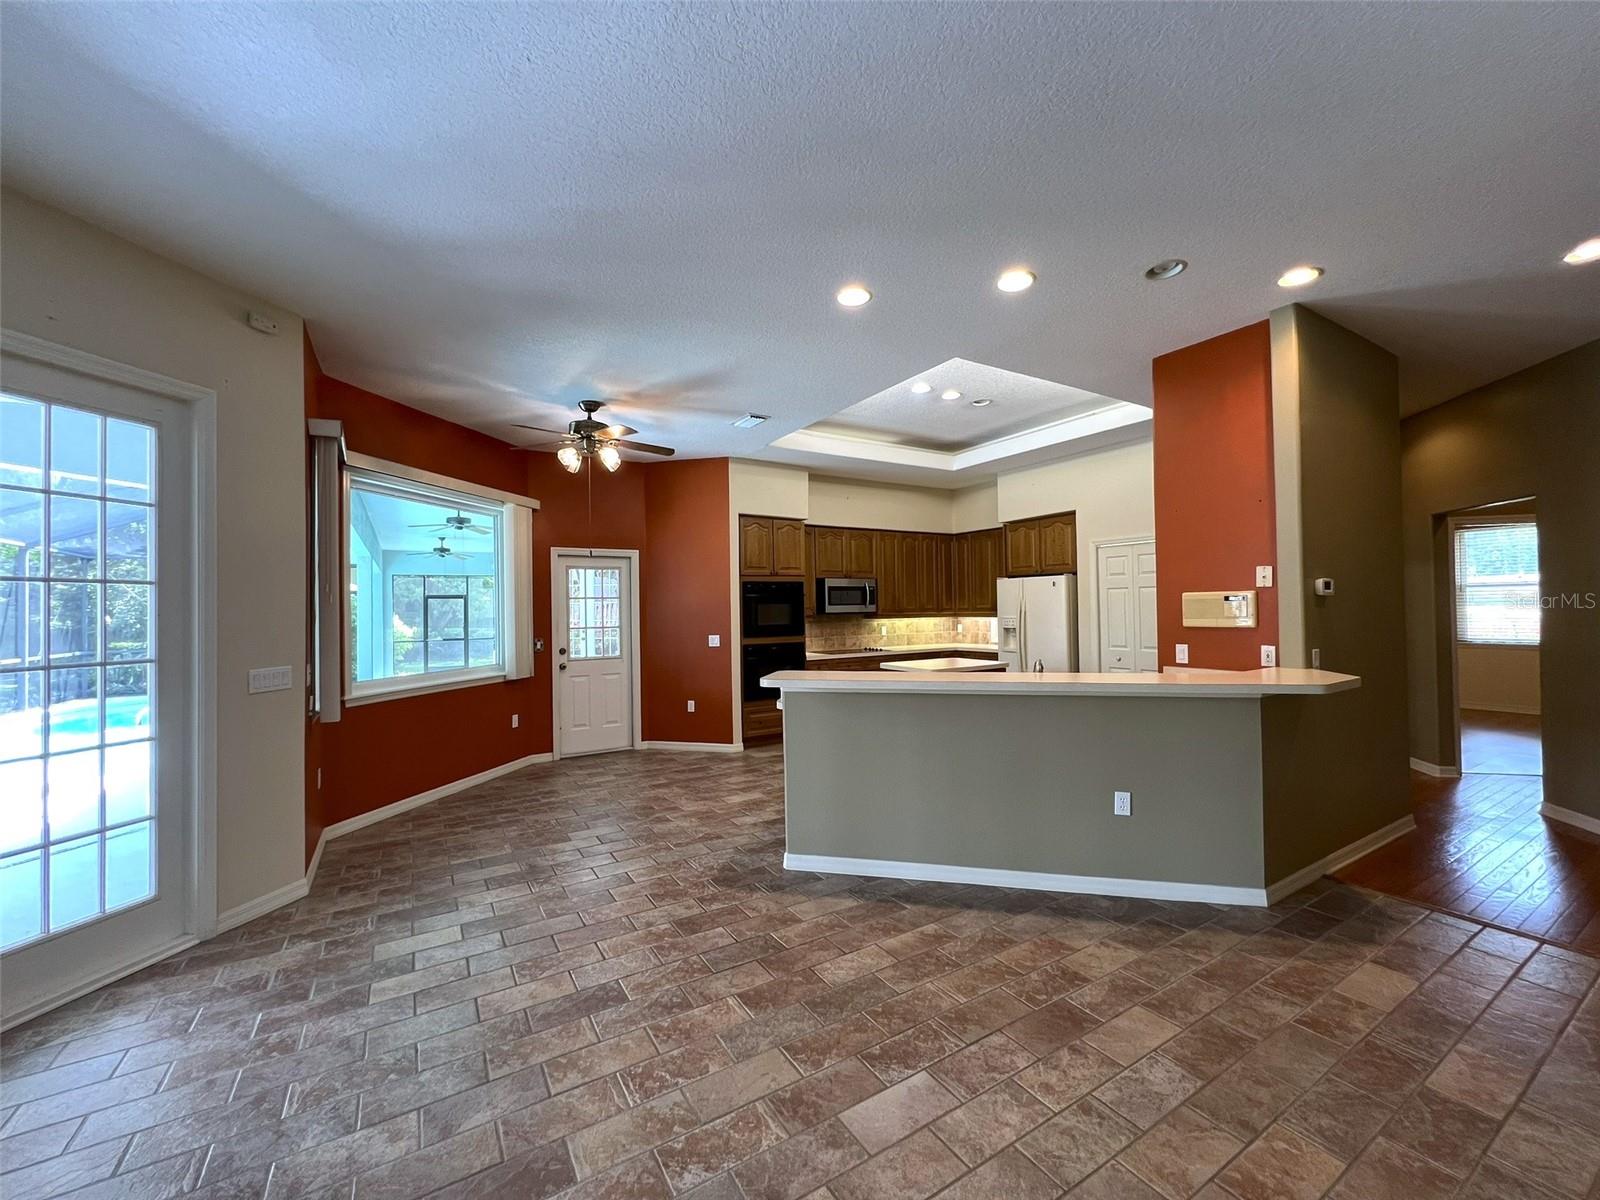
(95, 654)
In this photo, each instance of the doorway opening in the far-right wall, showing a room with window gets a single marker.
(1495, 636)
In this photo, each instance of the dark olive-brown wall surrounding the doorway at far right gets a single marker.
(1532, 434)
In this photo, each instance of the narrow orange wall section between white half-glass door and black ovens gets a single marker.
(687, 567)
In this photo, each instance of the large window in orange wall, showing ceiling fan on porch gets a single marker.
(428, 599)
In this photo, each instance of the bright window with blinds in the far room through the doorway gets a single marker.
(1498, 585)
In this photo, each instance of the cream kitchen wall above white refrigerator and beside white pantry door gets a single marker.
(1114, 495)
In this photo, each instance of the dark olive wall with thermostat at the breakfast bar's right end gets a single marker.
(1338, 420)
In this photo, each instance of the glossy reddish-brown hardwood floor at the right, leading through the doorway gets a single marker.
(1482, 850)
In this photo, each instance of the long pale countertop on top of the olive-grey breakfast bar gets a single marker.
(1191, 684)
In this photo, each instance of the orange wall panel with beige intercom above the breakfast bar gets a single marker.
(1215, 513)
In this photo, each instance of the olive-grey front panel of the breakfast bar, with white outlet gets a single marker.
(1025, 783)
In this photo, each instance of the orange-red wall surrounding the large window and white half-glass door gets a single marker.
(394, 750)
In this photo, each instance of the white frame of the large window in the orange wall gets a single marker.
(514, 586)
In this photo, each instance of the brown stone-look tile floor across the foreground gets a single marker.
(594, 980)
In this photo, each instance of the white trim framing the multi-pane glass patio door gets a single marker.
(201, 775)
